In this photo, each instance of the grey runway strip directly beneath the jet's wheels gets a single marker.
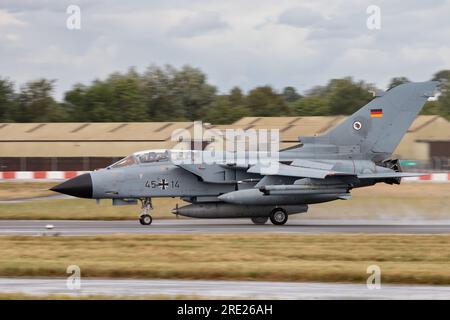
(187, 226)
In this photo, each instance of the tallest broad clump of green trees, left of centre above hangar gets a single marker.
(160, 94)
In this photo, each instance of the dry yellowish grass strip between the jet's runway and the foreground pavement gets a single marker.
(416, 259)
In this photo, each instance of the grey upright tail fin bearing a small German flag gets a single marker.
(378, 127)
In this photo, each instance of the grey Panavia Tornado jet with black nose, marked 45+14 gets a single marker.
(354, 154)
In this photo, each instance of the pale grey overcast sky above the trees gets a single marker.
(245, 43)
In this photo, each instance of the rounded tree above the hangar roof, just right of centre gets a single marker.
(265, 102)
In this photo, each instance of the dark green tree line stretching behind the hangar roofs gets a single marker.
(184, 94)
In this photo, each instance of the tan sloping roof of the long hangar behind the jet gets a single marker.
(117, 139)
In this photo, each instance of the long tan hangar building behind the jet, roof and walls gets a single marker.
(87, 146)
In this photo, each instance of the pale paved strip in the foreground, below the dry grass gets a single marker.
(221, 289)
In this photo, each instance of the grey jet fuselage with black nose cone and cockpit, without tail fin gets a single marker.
(174, 173)
